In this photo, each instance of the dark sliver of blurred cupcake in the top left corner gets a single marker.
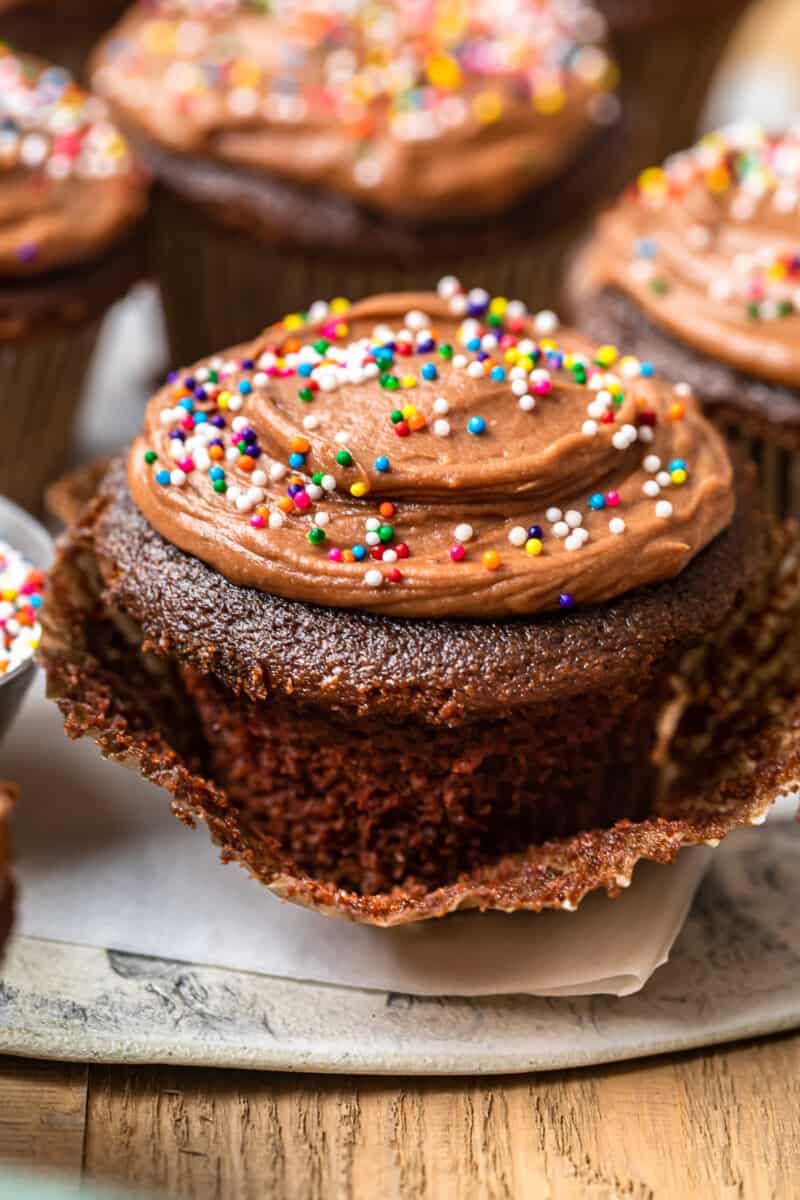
(58, 31)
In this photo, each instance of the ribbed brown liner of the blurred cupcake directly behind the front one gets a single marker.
(221, 286)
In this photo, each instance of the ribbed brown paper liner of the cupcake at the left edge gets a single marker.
(41, 382)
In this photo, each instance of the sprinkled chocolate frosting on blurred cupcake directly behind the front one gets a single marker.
(404, 107)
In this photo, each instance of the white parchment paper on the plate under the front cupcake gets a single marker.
(103, 862)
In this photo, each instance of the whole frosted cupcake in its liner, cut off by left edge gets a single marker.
(70, 200)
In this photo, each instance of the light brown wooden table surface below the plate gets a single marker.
(724, 1124)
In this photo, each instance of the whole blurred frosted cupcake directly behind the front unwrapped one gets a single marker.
(362, 148)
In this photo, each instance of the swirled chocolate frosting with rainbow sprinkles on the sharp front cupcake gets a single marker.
(431, 457)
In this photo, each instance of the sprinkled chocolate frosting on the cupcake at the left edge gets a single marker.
(69, 185)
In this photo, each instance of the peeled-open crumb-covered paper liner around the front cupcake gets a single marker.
(730, 742)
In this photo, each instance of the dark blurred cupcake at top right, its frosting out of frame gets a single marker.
(667, 53)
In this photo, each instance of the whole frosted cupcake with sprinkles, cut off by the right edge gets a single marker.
(697, 271)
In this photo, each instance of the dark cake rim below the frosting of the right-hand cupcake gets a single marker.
(731, 398)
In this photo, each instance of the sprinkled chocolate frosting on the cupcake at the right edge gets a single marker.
(709, 247)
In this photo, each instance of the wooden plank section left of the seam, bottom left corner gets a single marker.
(43, 1114)
